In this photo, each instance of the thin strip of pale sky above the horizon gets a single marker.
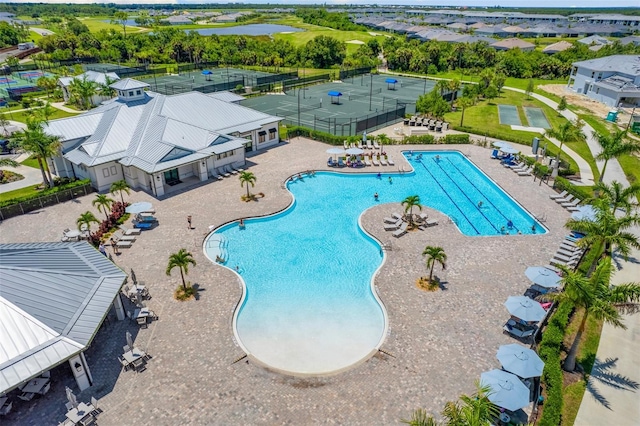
(504, 3)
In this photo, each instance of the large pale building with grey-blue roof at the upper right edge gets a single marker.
(612, 80)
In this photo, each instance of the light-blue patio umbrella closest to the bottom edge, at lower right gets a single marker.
(506, 389)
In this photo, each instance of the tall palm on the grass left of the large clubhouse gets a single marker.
(41, 145)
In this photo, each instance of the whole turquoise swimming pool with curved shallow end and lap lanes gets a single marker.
(308, 305)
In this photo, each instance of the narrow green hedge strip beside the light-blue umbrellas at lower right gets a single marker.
(552, 377)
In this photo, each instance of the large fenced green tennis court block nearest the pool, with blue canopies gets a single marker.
(359, 103)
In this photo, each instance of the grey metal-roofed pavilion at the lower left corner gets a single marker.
(53, 299)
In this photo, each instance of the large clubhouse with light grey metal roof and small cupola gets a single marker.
(159, 143)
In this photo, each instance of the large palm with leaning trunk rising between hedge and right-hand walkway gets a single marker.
(597, 298)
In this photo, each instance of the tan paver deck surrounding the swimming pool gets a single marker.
(438, 342)
